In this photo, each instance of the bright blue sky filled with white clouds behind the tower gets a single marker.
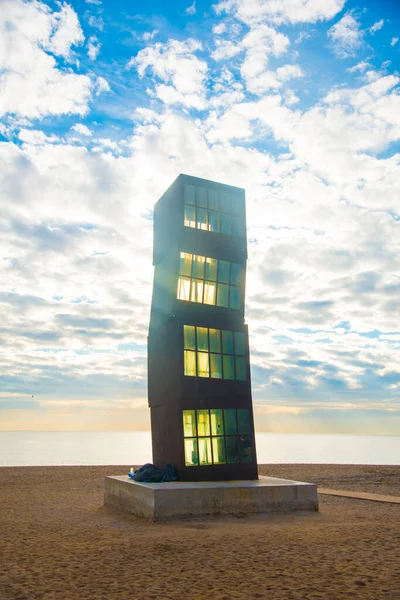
(103, 103)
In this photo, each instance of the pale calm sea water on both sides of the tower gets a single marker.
(36, 448)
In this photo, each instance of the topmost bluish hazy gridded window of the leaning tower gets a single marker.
(212, 210)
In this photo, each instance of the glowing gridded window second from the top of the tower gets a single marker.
(210, 281)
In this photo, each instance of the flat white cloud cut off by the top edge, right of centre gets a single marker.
(281, 11)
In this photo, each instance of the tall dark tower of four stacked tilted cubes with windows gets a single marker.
(199, 222)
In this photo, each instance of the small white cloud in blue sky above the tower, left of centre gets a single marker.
(182, 73)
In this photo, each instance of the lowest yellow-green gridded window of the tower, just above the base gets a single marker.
(216, 436)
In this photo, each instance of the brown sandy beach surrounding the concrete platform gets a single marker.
(58, 541)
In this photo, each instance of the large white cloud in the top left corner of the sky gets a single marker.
(27, 30)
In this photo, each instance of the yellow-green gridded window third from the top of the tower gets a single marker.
(214, 353)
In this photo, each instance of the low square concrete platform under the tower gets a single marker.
(159, 501)
